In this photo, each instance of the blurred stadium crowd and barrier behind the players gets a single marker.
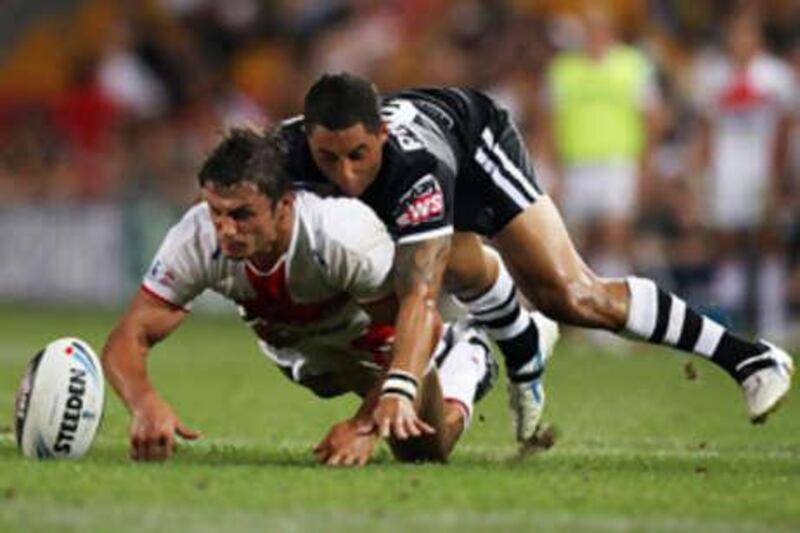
(107, 108)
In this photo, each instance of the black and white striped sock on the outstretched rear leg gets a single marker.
(659, 317)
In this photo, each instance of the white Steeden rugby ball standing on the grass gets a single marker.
(59, 403)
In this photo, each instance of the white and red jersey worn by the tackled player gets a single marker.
(304, 310)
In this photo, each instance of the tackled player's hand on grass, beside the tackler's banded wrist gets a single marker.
(348, 443)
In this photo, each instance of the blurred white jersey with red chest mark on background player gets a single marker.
(743, 105)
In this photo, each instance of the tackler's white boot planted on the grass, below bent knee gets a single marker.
(526, 398)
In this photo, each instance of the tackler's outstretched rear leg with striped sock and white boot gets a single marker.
(548, 269)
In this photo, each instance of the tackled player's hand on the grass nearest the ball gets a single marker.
(153, 428)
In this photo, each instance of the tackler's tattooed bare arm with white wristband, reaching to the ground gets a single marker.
(418, 268)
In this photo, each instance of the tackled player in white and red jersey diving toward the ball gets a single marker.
(312, 279)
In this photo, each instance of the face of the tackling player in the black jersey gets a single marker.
(350, 157)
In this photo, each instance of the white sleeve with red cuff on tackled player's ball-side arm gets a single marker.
(176, 273)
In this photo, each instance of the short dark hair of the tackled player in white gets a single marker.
(247, 155)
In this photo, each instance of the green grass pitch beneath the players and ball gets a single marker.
(641, 448)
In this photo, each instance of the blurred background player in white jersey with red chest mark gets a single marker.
(747, 101)
